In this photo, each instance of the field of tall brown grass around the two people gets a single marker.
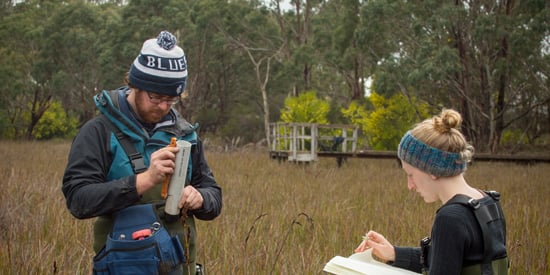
(278, 218)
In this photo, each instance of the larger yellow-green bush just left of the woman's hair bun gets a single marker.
(389, 120)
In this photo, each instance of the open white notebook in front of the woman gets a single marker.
(362, 263)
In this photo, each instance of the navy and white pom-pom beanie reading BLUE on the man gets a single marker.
(160, 67)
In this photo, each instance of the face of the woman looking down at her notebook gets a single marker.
(423, 183)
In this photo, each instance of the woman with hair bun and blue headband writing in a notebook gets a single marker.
(434, 155)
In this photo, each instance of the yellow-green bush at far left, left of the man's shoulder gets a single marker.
(55, 123)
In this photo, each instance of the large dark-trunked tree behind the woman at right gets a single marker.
(460, 55)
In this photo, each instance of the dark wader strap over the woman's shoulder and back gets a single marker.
(484, 214)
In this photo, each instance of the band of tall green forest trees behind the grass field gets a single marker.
(468, 57)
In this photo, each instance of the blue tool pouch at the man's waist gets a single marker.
(153, 253)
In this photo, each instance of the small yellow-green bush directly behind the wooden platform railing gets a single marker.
(305, 108)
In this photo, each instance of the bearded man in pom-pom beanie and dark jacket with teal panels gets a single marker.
(101, 179)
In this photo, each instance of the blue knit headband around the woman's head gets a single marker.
(429, 159)
